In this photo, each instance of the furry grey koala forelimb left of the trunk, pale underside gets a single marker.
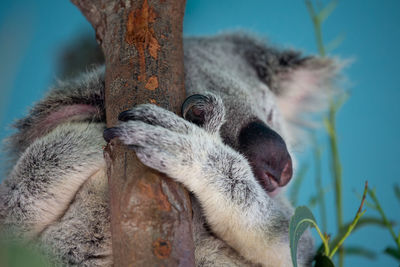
(47, 176)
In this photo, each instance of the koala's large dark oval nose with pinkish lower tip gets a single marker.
(267, 153)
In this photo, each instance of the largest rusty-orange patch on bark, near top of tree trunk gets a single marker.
(140, 33)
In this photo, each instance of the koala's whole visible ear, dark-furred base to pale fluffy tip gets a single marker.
(302, 84)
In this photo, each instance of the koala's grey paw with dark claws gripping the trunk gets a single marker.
(164, 141)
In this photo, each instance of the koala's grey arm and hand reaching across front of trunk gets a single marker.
(236, 207)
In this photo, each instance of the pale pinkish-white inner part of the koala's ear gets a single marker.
(306, 87)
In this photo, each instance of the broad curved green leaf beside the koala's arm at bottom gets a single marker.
(300, 221)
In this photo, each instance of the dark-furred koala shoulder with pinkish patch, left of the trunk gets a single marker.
(75, 100)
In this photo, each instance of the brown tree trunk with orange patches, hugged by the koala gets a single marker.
(142, 44)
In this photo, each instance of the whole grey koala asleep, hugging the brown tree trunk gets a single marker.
(233, 150)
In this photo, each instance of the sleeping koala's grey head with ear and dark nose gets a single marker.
(266, 93)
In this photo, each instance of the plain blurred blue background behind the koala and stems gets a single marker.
(32, 34)
